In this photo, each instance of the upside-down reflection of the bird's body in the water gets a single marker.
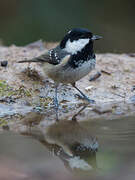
(71, 142)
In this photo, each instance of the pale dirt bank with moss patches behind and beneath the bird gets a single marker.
(25, 85)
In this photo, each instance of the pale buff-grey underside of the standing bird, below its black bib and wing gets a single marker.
(68, 74)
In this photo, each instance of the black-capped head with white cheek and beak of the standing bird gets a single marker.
(77, 39)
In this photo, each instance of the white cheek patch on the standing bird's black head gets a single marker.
(75, 46)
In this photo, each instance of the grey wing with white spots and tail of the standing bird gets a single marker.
(53, 56)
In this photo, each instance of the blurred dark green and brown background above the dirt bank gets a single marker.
(26, 21)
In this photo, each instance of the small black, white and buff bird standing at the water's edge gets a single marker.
(69, 61)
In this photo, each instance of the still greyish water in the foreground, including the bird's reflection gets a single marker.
(91, 149)
